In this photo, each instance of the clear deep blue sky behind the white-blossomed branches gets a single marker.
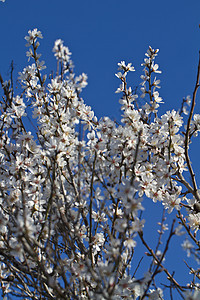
(100, 34)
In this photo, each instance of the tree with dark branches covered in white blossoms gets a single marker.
(71, 191)
